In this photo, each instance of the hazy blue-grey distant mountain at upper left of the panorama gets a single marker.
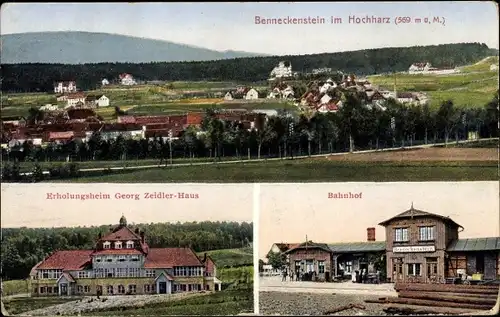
(70, 47)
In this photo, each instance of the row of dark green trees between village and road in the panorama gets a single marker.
(356, 126)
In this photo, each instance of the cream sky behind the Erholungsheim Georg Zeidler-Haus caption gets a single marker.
(27, 205)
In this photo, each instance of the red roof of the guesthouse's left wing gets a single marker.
(66, 260)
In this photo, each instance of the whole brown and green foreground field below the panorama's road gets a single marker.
(433, 164)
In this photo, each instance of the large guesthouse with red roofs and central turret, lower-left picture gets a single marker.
(123, 263)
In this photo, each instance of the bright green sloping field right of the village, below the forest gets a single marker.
(474, 86)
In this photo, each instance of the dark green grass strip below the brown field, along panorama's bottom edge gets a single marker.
(309, 170)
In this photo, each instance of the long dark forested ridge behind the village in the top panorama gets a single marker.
(40, 77)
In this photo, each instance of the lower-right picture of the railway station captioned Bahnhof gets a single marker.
(379, 249)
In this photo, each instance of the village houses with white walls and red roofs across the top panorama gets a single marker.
(75, 116)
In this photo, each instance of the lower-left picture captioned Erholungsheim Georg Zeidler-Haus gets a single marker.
(138, 250)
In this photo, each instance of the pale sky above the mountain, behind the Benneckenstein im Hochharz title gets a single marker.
(232, 26)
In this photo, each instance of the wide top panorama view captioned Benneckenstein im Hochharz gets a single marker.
(249, 92)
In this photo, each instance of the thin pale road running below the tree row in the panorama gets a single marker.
(117, 168)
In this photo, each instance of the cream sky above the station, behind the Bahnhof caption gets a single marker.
(290, 212)
